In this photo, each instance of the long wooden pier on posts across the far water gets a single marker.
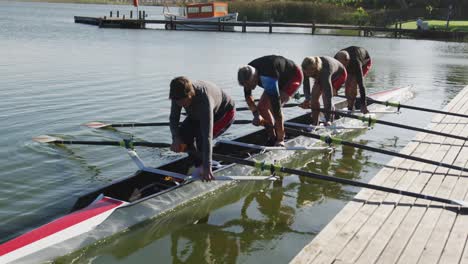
(243, 26)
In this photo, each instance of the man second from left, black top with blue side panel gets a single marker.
(280, 78)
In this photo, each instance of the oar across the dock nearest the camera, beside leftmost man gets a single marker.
(277, 168)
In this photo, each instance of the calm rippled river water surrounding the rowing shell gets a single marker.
(56, 75)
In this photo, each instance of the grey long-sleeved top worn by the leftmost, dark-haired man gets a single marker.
(209, 104)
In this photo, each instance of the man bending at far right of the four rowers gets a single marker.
(358, 63)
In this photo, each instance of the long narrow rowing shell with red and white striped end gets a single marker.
(132, 200)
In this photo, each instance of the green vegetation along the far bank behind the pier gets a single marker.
(354, 12)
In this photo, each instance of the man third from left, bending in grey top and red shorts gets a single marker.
(329, 75)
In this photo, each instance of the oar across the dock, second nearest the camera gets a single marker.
(329, 140)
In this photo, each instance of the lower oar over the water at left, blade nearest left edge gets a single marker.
(123, 143)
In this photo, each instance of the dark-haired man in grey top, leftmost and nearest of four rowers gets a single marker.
(210, 111)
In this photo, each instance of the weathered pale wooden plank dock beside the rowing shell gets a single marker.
(377, 227)
